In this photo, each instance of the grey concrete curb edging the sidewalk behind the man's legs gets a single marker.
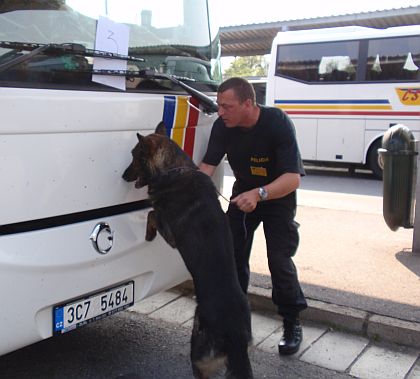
(372, 326)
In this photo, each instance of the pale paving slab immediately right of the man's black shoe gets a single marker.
(335, 350)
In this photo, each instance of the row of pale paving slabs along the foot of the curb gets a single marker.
(343, 353)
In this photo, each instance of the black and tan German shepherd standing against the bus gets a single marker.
(187, 213)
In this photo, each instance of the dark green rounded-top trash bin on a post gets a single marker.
(399, 160)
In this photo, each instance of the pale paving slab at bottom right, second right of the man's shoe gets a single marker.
(382, 363)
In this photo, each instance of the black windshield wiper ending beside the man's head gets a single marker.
(209, 105)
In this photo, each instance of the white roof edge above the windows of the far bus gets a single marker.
(342, 33)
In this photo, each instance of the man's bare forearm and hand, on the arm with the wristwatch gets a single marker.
(280, 187)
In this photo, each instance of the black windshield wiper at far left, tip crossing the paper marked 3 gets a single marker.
(57, 49)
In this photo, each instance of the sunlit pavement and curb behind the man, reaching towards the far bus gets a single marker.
(356, 273)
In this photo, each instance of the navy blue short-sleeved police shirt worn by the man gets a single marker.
(257, 155)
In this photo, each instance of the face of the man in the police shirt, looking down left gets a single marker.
(231, 110)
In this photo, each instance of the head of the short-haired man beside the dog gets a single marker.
(236, 100)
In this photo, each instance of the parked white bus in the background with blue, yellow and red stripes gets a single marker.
(344, 87)
